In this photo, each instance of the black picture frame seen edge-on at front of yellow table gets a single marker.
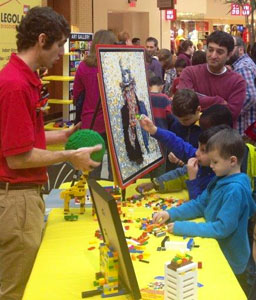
(113, 235)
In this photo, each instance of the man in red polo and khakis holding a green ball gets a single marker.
(23, 156)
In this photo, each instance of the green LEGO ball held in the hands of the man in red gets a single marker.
(87, 138)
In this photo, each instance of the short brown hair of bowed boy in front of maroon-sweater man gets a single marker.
(185, 102)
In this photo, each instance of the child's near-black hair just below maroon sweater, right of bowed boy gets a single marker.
(216, 114)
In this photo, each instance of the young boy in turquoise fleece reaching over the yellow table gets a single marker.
(226, 204)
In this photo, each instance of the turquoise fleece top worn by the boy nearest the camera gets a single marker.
(226, 205)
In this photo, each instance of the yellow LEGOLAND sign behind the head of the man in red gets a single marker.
(11, 14)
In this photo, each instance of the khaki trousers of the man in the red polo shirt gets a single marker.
(21, 227)
